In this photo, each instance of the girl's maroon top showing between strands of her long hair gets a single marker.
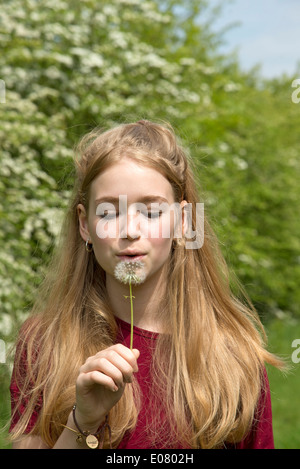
(260, 436)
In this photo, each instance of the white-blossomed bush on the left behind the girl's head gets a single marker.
(67, 70)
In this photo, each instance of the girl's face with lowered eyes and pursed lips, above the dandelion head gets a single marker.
(129, 217)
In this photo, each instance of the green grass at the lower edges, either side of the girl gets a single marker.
(284, 387)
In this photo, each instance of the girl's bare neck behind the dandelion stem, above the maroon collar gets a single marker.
(147, 301)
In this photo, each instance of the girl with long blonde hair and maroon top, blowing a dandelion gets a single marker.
(195, 376)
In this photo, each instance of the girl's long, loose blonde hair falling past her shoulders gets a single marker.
(209, 368)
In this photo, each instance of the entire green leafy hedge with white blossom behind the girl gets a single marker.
(70, 66)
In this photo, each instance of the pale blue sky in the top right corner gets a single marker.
(268, 34)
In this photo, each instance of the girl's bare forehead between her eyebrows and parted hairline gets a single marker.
(133, 180)
